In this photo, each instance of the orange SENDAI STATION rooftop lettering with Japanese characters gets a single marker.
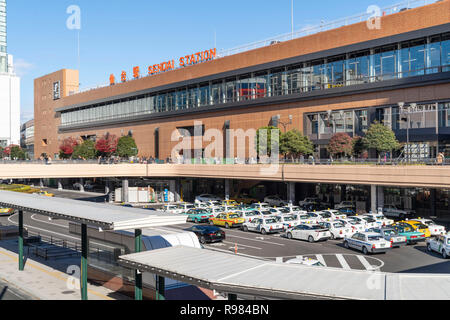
(188, 60)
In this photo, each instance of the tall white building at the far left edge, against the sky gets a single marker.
(9, 90)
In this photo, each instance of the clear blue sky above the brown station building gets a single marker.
(117, 35)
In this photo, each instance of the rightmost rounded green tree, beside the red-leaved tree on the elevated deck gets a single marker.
(381, 138)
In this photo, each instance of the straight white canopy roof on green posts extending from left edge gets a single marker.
(104, 216)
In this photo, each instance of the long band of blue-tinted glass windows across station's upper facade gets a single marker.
(401, 60)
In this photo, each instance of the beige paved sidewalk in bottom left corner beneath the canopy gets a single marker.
(41, 282)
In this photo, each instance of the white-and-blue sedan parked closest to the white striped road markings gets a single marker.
(368, 242)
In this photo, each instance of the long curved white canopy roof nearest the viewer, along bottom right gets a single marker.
(243, 275)
